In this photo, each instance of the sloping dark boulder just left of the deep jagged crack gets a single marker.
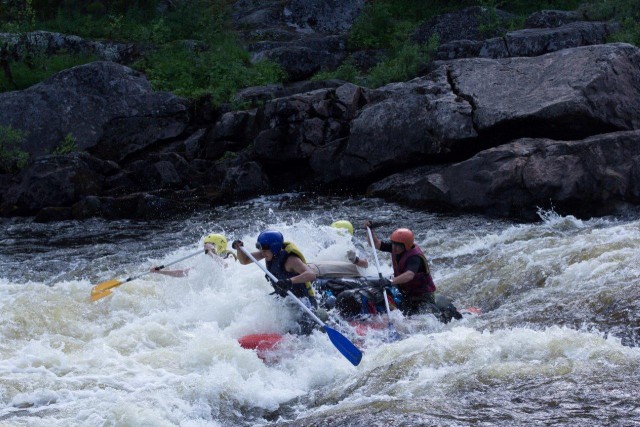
(414, 121)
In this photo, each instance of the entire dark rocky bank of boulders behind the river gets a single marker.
(540, 117)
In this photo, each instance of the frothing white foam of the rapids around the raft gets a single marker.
(163, 351)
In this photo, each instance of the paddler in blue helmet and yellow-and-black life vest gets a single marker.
(285, 261)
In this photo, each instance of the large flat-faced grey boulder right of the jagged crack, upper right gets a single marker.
(568, 94)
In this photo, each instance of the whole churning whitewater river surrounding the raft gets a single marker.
(557, 343)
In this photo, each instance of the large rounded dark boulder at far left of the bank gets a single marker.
(106, 107)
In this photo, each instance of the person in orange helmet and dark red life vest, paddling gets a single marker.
(411, 274)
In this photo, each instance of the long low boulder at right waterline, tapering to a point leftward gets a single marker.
(581, 177)
